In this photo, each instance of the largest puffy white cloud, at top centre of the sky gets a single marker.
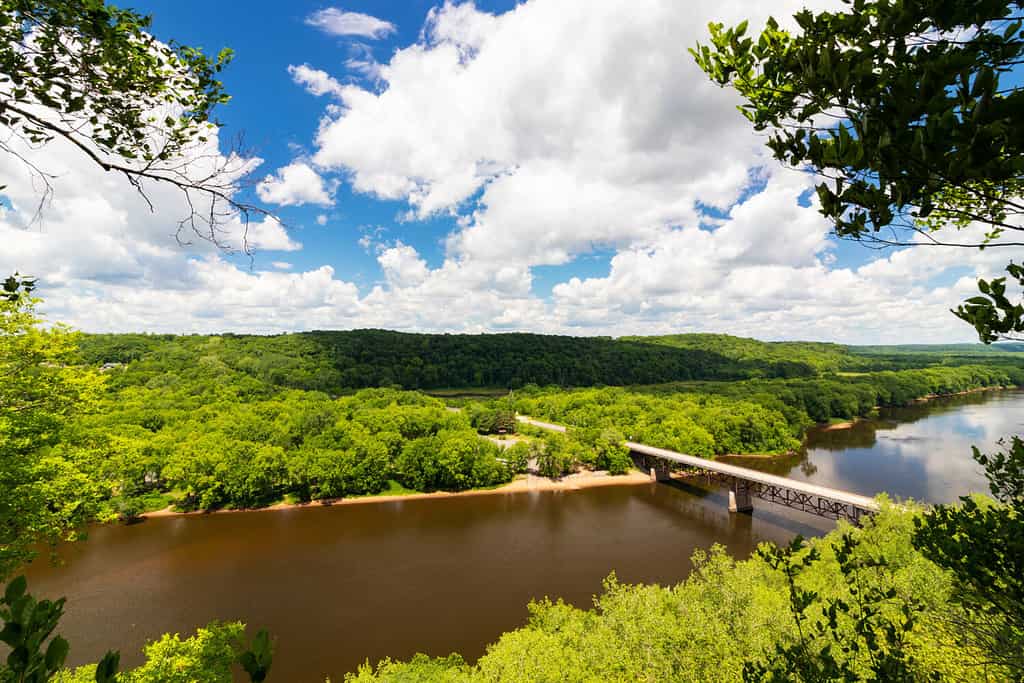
(605, 132)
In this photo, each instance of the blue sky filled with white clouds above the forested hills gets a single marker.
(551, 166)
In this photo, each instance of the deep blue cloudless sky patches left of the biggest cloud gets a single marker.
(278, 117)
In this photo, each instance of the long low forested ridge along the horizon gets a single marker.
(340, 362)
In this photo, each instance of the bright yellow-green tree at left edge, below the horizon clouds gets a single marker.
(41, 498)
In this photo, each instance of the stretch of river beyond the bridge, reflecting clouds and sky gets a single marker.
(921, 452)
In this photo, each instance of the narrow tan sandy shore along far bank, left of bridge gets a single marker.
(524, 484)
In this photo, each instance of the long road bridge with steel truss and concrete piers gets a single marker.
(746, 485)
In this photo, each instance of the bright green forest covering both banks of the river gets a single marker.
(102, 429)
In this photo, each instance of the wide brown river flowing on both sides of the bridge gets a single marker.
(339, 585)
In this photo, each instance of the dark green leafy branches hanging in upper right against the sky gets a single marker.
(902, 108)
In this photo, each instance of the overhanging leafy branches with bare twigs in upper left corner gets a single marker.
(92, 74)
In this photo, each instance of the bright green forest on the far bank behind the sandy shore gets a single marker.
(204, 423)
